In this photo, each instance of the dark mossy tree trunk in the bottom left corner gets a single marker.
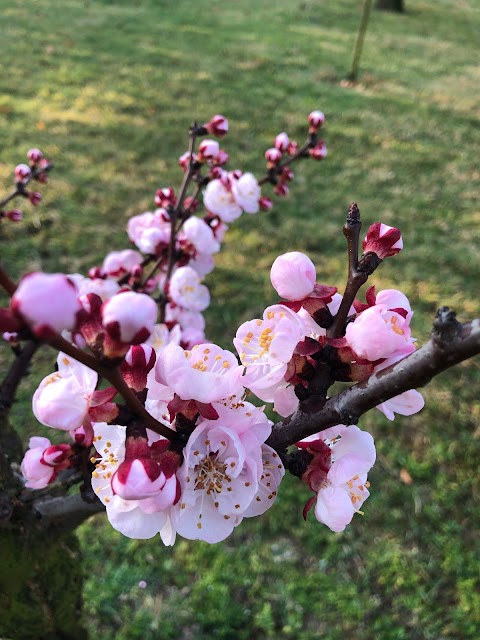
(40, 567)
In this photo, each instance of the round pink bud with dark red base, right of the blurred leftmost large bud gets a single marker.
(129, 317)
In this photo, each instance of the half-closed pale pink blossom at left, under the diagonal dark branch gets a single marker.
(63, 399)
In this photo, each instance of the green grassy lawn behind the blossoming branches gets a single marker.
(108, 89)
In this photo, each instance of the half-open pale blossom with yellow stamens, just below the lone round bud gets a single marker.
(266, 346)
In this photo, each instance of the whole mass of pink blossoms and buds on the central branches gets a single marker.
(185, 452)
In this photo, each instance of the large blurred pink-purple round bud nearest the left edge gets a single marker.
(47, 302)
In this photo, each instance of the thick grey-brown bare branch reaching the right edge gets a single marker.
(451, 343)
